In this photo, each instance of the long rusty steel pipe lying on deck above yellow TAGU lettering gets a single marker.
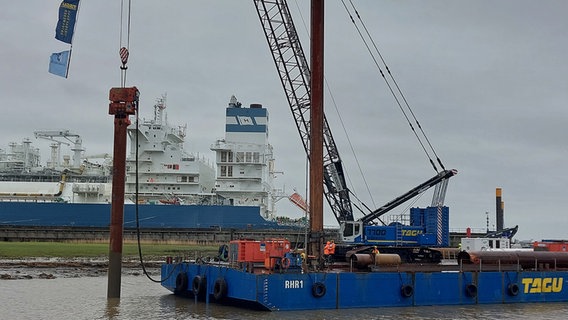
(526, 259)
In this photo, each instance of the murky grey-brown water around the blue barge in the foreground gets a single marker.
(85, 298)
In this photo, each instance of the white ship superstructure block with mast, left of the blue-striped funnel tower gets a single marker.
(166, 173)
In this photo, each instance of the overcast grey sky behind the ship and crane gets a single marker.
(486, 79)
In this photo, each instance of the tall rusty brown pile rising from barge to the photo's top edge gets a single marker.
(316, 128)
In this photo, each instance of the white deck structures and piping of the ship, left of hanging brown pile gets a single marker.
(24, 178)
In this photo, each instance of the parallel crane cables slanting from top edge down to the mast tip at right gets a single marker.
(397, 99)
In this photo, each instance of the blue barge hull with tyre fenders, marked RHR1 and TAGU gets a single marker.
(339, 290)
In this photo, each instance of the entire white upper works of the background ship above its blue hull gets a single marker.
(242, 175)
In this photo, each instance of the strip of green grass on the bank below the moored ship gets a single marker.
(71, 250)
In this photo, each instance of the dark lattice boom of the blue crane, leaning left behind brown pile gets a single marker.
(294, 73)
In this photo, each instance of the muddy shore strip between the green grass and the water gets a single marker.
(51, 268)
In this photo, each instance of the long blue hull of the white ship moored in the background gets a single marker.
(151, 216)
